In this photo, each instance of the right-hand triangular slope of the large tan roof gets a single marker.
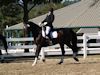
(90, 17)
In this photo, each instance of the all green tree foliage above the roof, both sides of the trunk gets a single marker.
(11, 13)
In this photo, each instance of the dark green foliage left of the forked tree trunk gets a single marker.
(9, 15)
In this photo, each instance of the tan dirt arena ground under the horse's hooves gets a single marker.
(88, 66)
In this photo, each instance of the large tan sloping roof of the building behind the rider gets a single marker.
(80, 14)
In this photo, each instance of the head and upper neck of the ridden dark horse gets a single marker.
(34, 28)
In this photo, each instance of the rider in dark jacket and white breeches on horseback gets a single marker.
(47, 22)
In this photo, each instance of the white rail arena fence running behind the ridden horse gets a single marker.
(85, 48)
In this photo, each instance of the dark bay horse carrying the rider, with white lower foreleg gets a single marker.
(65, 36)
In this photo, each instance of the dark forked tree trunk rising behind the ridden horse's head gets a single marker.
(27, 5)
